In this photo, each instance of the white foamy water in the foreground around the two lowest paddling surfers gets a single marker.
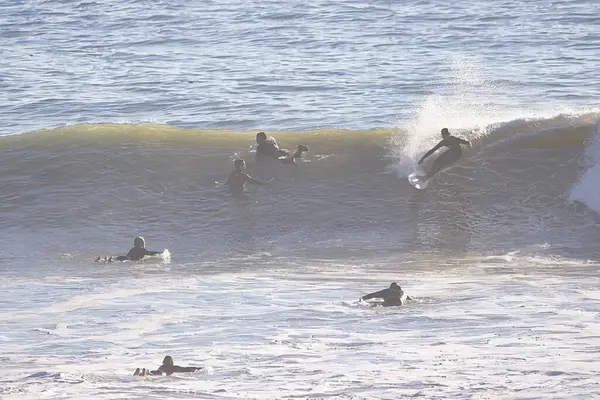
(502, 327)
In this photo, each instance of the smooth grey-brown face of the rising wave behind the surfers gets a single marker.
(106, 183)
